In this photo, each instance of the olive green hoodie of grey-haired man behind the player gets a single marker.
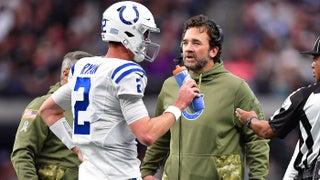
(37, 152)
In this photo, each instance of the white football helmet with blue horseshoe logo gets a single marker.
(131, 24)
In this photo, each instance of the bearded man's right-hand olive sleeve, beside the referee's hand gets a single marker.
(257, 148)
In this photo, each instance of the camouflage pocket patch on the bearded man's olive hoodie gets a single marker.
(228, 167)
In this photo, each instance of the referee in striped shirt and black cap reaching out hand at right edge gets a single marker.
(301, 108)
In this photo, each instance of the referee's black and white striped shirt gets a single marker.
(302, 108)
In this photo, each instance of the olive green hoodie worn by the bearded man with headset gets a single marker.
(210, 144)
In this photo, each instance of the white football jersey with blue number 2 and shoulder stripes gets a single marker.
(101, 129)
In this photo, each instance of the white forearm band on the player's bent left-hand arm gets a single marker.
(63, 131)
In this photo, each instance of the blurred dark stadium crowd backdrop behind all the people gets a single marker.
(262, 41)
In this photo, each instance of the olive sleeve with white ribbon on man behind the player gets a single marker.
(30, 135)
